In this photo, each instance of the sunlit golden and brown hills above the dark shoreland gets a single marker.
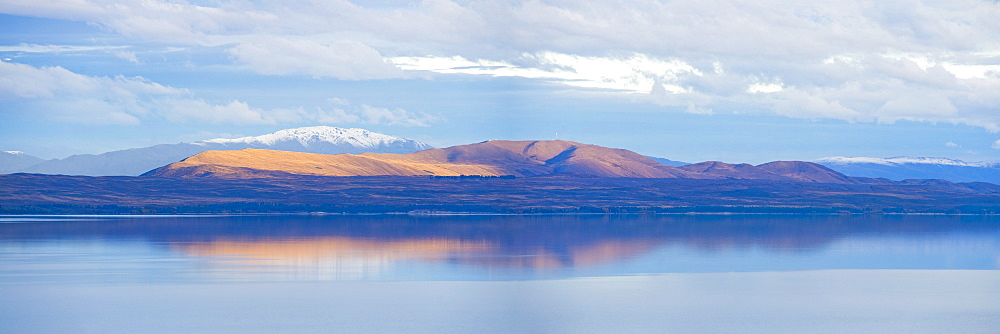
(490, 158)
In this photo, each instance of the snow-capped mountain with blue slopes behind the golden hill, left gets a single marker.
(317, 139)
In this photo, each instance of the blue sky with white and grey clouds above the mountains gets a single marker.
(730, 80)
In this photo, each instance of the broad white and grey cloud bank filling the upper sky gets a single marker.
(856, 61)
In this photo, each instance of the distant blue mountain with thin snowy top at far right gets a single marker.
(901, 168)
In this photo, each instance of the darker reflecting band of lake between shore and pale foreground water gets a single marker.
(264, 248)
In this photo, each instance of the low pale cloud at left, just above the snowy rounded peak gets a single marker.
(57, 94)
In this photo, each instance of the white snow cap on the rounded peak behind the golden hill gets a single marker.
(314, 134)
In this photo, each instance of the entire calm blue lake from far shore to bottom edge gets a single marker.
(486, 274)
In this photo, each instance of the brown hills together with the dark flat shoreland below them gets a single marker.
(489, 177)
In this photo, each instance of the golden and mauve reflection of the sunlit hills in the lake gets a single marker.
(345, 258)
